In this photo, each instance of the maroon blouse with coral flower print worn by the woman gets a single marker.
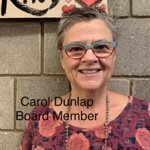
(129, 131)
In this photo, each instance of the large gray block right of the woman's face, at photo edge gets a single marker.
(133, 47)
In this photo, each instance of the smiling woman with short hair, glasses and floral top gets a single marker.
(95, 118)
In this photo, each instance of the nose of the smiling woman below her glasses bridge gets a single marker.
(90, 56)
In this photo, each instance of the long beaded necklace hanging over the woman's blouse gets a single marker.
(106, 125)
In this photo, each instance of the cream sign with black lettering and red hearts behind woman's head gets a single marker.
(44, 8)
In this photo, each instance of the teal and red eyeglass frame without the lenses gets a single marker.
(67, 47)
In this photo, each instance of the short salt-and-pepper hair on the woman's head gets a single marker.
(83, 14)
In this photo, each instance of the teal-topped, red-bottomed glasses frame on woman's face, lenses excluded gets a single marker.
(89, 47)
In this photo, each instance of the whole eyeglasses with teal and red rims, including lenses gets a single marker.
(100, 49)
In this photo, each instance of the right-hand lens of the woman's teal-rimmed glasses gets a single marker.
(103, 49)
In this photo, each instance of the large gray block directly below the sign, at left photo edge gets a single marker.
(20, 48)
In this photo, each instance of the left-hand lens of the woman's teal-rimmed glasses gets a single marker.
(75, 51)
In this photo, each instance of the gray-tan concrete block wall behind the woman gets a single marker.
(29, 64)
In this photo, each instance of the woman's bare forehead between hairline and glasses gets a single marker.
(88, 32)
